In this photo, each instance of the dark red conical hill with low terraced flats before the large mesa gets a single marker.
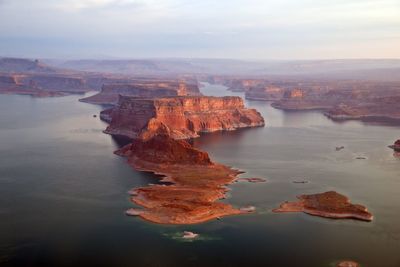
(197, 182)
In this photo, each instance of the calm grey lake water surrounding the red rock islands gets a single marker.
(63, 192)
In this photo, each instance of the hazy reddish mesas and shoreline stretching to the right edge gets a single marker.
(339, 99)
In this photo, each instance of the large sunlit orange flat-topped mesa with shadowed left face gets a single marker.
(183, 117)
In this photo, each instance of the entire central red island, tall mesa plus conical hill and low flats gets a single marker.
(158, 127)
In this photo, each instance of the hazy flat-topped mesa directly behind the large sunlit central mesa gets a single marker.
(145, 89)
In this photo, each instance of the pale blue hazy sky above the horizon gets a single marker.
(253, 29)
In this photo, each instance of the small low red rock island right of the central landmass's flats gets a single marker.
(329, 204)
